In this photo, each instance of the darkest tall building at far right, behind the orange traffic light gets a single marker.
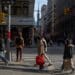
(65, 18)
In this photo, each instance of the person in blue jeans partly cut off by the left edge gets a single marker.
(2, 50)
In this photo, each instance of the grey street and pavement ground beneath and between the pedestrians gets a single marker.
(26, 67)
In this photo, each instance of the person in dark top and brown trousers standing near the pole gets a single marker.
(19, 47)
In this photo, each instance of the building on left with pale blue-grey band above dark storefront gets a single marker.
(21, 18)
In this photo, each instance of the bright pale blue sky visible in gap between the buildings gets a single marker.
(38, 3)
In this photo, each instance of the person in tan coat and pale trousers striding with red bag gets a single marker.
(42, 49)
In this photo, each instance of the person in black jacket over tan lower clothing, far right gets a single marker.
(68, 55)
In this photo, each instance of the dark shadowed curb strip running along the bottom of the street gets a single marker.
(29, 68)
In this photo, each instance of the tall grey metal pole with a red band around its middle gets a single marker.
(8, 55)
